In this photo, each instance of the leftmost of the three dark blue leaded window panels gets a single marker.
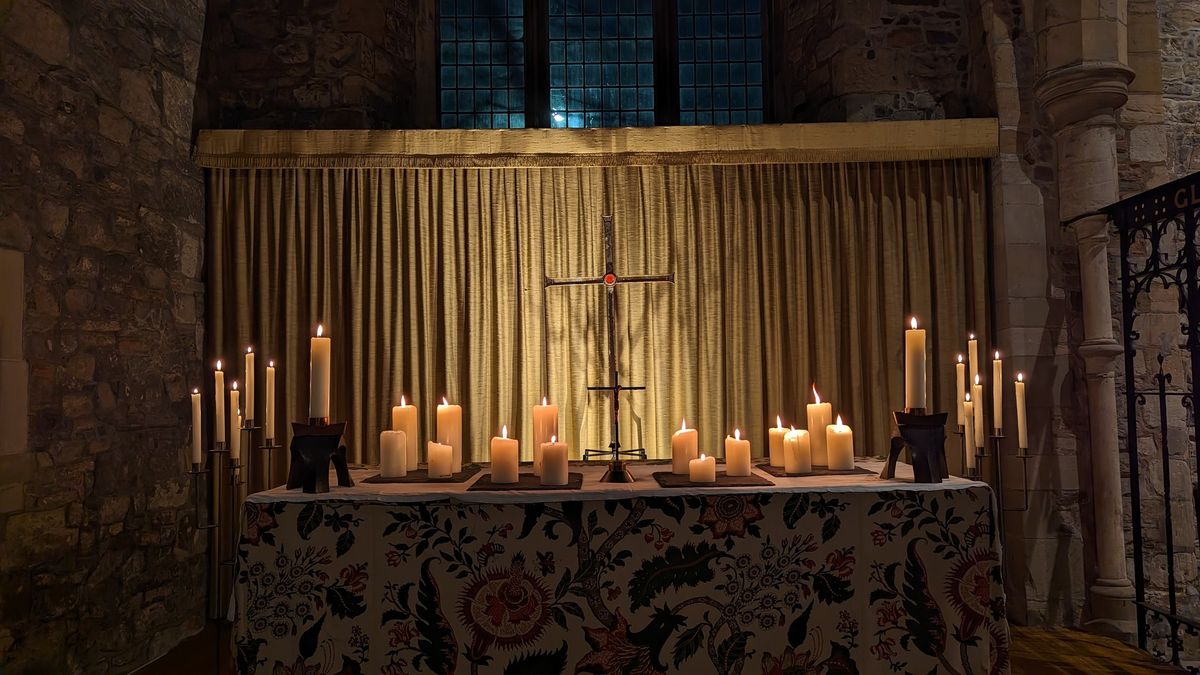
(483, 63)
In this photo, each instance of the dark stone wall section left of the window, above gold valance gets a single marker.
(320, 65)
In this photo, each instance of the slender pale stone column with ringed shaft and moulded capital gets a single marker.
(1082, 103)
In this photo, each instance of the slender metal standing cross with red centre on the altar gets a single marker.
(617, 471)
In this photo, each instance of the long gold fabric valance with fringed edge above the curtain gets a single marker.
(662, 146)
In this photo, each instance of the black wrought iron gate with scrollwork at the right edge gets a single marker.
(1160, 283)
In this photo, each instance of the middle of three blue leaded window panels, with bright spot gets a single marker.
(602, 63)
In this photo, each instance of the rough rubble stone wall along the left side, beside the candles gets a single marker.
(101, 568)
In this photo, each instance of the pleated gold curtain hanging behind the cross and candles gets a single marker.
(430, 283)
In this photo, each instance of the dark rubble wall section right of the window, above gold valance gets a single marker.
(867, 61)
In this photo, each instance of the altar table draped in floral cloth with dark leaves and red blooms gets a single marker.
(819, 575)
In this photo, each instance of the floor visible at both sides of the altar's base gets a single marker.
(1036, 652)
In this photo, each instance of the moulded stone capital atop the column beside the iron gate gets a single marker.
(1073, 94)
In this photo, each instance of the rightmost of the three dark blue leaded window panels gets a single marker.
(721, 53)
